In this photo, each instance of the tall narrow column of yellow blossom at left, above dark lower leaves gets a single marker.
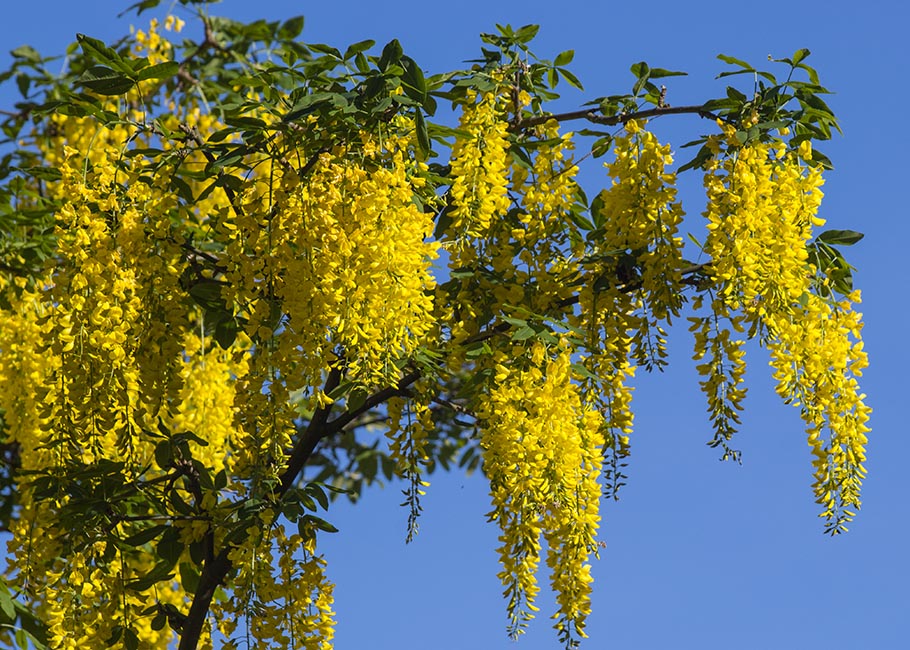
(96, 315)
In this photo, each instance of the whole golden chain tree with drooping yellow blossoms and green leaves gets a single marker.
(242, 275)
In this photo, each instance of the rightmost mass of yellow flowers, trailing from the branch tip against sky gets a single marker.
(762, 204)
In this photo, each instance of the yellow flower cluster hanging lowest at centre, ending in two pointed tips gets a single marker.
(542, 453)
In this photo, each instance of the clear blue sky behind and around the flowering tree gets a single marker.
(700, 554)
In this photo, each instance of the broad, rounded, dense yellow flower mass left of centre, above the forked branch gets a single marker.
(343, 253)
